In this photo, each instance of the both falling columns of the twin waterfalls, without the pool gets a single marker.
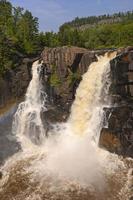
(86, 112)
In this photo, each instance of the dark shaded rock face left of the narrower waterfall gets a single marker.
(13, 83)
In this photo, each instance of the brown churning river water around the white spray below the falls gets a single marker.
(20, 182)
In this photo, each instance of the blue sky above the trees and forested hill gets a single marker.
(53, 13)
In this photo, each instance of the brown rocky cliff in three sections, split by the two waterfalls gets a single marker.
(61, 73)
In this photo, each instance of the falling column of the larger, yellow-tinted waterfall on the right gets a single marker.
(91, 95)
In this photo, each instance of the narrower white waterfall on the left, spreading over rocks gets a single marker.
(27, 120)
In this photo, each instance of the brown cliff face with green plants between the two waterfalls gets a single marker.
(64, 67)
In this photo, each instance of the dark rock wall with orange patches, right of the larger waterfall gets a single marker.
(120, 116)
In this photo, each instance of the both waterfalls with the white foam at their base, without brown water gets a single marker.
(71, 154)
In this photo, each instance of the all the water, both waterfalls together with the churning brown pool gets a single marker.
(67, 165)
